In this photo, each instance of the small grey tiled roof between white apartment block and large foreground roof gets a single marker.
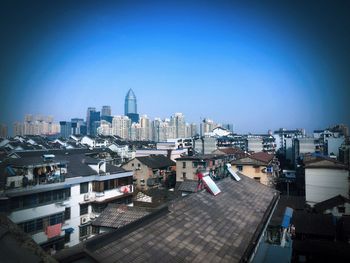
(116, 216)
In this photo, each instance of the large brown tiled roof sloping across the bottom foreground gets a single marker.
(200, 227)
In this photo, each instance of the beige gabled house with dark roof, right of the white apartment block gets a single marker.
(150, 171)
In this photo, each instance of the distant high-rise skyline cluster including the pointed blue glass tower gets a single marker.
(130, 126)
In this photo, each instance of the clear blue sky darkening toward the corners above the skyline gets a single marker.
(256, 65)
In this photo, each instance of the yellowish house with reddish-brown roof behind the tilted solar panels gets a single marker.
(261, 166)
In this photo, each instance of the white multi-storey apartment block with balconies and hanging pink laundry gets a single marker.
(54, 196)
